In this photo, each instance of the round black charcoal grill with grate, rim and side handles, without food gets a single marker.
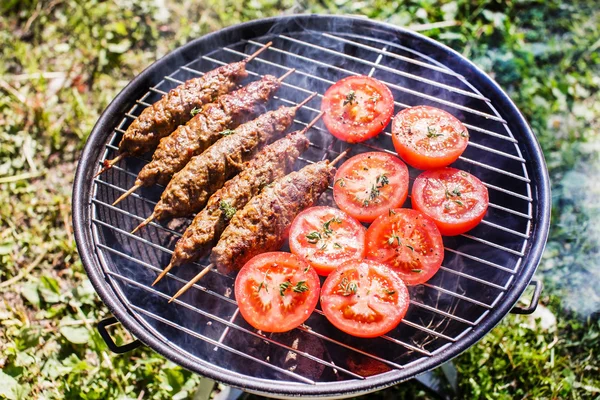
(484, 271)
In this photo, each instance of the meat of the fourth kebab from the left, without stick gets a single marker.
(273, 162)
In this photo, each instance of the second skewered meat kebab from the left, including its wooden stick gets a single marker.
(214, 121)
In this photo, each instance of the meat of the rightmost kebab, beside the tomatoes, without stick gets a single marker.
(262, 224)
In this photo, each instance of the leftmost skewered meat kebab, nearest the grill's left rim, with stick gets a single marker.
(175, 108)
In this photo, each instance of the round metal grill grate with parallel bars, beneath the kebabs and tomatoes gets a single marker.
(479, 267)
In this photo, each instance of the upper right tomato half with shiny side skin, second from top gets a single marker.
(427, 137)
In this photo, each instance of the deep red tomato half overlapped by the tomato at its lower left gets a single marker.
(407, 241)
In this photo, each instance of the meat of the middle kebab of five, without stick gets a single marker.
(190, 188)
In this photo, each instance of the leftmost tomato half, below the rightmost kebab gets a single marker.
(276, 291)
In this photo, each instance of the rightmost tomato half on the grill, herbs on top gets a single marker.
(456, 200)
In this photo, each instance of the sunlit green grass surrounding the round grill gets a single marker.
(64, 60)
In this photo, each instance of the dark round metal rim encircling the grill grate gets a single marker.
(113, 114)
